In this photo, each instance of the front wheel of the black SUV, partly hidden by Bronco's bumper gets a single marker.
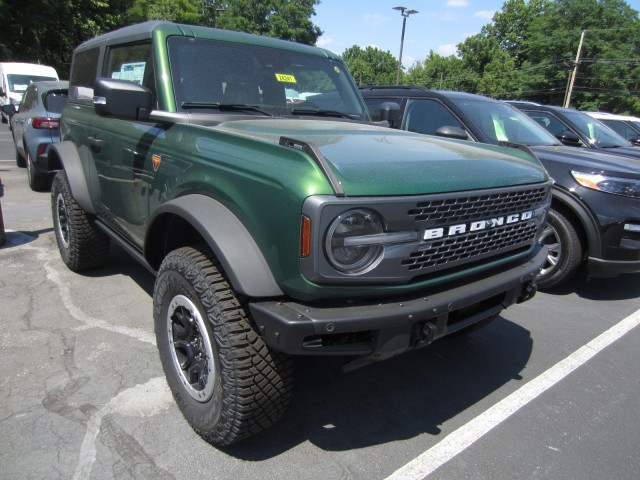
(565, 251)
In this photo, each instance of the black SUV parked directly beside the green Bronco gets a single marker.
(595, 215)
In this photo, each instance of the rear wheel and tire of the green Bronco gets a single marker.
(82, 244)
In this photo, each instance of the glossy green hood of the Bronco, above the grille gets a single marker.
(372, 160)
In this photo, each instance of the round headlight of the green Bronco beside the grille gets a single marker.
(349, 245)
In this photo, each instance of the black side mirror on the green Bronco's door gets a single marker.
(122, 98)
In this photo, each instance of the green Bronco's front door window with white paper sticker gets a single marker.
(133, 63)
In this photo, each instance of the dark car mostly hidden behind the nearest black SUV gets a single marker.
(578, 129)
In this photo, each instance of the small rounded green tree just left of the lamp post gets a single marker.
(371, 66)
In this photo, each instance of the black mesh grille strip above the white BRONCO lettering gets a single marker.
(477, 207)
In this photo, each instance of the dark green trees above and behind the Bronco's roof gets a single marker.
(47, 31)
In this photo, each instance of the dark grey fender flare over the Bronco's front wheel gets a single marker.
(228, 238)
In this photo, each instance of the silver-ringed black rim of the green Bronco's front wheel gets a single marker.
(190, 348)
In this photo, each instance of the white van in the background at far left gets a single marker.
(16, 77)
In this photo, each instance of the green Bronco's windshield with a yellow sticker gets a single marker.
(211, 73)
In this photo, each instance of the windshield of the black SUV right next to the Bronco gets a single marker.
(502, 123)
